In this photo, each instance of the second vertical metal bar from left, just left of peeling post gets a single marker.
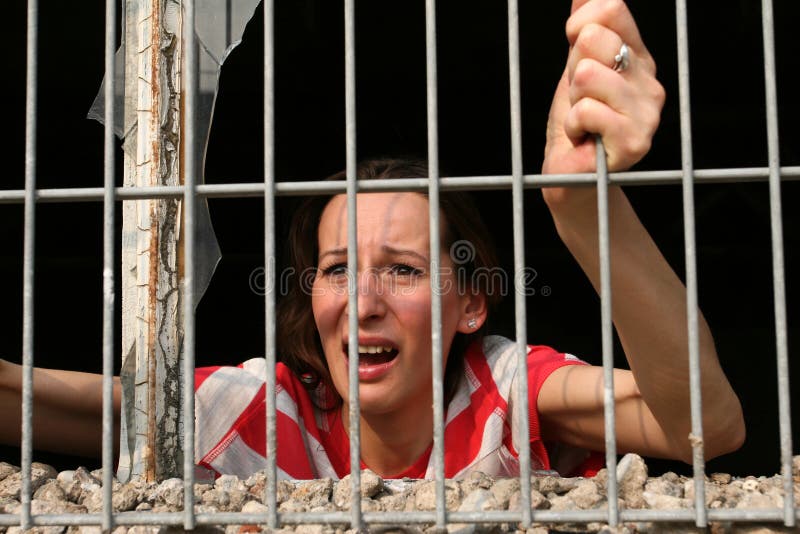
(108, 265)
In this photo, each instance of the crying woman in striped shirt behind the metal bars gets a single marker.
(616, 98)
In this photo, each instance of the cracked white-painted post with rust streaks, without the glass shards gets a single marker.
(152, 318)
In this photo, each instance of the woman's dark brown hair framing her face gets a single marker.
(299, 344)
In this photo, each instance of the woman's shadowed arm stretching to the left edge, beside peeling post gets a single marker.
(67, 409)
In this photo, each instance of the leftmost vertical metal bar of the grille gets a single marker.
(28, 262)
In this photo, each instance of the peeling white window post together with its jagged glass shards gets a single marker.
(148, 117)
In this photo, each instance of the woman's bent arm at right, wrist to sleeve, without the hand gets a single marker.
(649, 312)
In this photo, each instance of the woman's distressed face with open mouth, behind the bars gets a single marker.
(394, 300)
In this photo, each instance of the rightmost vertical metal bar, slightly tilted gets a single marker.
(778, 275)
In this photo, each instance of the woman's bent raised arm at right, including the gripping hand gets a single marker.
(649, 300)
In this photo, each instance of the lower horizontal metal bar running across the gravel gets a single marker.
(296, 518)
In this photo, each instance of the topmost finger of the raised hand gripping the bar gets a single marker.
(614, 15)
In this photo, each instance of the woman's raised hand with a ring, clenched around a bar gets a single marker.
(623, 107)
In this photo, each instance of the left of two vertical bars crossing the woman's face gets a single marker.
(352, 261)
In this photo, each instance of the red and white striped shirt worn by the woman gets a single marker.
(313, 443)
